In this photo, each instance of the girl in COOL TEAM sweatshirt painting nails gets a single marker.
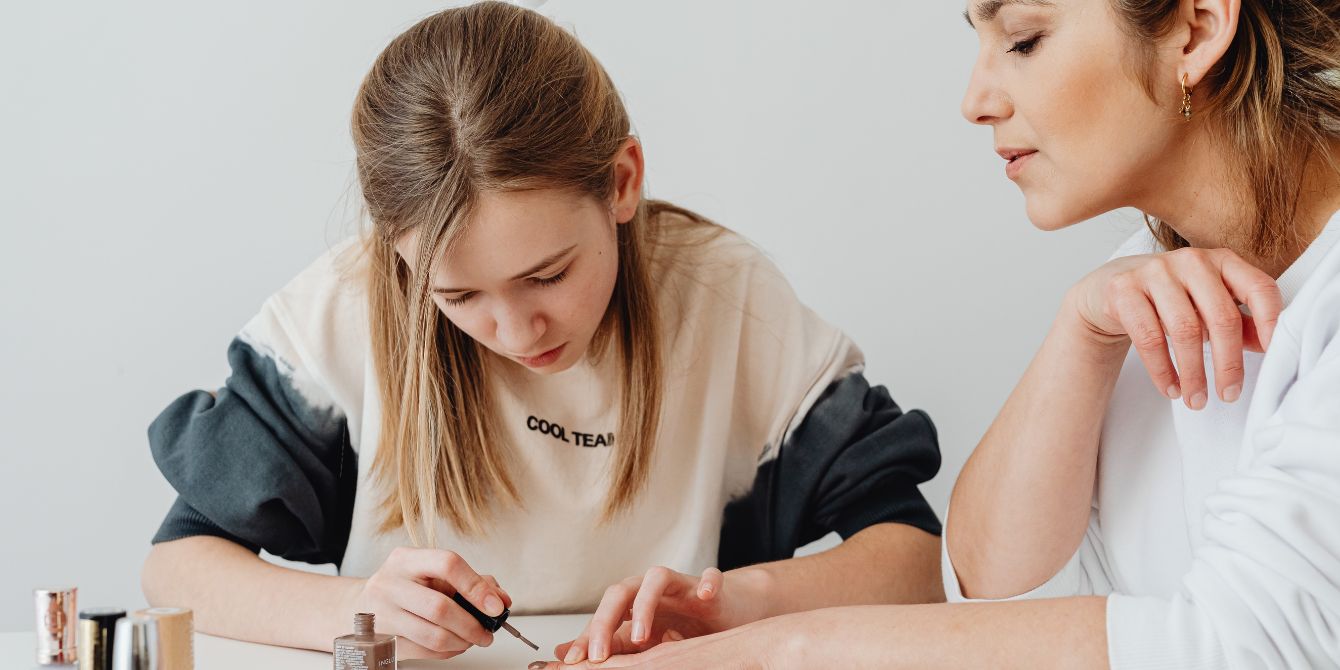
(530, 371)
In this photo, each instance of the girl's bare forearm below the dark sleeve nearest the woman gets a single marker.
(885, 563)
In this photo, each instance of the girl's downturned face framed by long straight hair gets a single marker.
(531, 277)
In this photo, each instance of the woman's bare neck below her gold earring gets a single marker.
(1208, 204)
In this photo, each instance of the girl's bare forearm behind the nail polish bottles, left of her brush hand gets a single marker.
(235, 594)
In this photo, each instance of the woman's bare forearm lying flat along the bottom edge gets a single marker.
(1027, 634)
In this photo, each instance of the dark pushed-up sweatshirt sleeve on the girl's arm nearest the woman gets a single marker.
(854, 462)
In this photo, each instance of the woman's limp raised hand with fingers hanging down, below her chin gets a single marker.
(1187, 295)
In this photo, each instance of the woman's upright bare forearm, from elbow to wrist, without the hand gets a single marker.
(1023, 500)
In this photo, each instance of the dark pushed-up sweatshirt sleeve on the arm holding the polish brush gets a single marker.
(258, 466)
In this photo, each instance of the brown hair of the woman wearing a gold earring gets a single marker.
(1275, 101)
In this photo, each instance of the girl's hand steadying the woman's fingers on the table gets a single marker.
(663, 606)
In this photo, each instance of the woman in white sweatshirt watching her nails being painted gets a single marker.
(1189, 523)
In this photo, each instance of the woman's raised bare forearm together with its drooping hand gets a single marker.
(1023, 500)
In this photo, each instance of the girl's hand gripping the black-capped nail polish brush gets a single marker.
(411, 596)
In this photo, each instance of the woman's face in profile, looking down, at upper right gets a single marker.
(1057, 82)
